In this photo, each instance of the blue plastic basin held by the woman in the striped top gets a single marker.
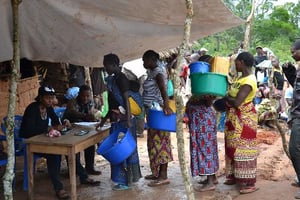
(159, 121)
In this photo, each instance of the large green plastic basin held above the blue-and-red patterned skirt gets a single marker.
(208, 84)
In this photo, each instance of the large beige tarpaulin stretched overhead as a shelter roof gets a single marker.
(82, 31)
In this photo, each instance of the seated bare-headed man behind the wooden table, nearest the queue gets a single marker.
(82, 109)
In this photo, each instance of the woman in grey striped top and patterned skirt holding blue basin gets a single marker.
(158, 142)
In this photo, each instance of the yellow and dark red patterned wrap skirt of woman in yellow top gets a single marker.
(241, 144)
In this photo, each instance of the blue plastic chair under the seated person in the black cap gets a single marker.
(20, 147)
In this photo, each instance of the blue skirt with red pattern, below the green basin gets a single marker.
(203, 140)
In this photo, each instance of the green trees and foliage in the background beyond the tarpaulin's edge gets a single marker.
(274, 26)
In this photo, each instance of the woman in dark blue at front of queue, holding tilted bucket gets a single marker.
(127, 172)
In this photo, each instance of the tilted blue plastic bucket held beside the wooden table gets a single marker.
(117, 151)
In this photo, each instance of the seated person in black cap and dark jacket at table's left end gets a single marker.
(36, 121)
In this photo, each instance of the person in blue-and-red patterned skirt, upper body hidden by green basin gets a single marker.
(203, 140)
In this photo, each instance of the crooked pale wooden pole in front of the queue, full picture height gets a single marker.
(179, 103)
